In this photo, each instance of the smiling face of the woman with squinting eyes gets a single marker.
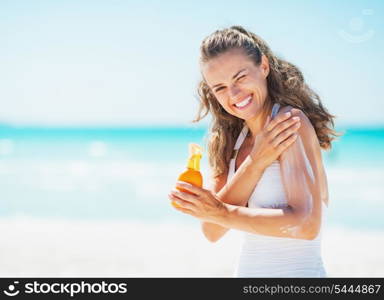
(238, 85)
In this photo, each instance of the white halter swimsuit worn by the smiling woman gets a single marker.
(268, 256)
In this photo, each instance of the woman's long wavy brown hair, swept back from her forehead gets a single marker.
(285, 85)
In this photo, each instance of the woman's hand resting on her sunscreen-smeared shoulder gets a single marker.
(276, 136)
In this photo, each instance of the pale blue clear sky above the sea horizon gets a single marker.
(121, 63)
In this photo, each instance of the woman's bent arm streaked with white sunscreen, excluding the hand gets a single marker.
(305, 184)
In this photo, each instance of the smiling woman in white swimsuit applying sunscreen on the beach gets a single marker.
(269, 180)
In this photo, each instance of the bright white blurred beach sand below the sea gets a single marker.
(39, 248)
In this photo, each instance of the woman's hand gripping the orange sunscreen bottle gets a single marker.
(201, 203)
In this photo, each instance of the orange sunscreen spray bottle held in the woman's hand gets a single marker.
(192, 174)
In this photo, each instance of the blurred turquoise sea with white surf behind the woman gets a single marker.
(126, 173)
